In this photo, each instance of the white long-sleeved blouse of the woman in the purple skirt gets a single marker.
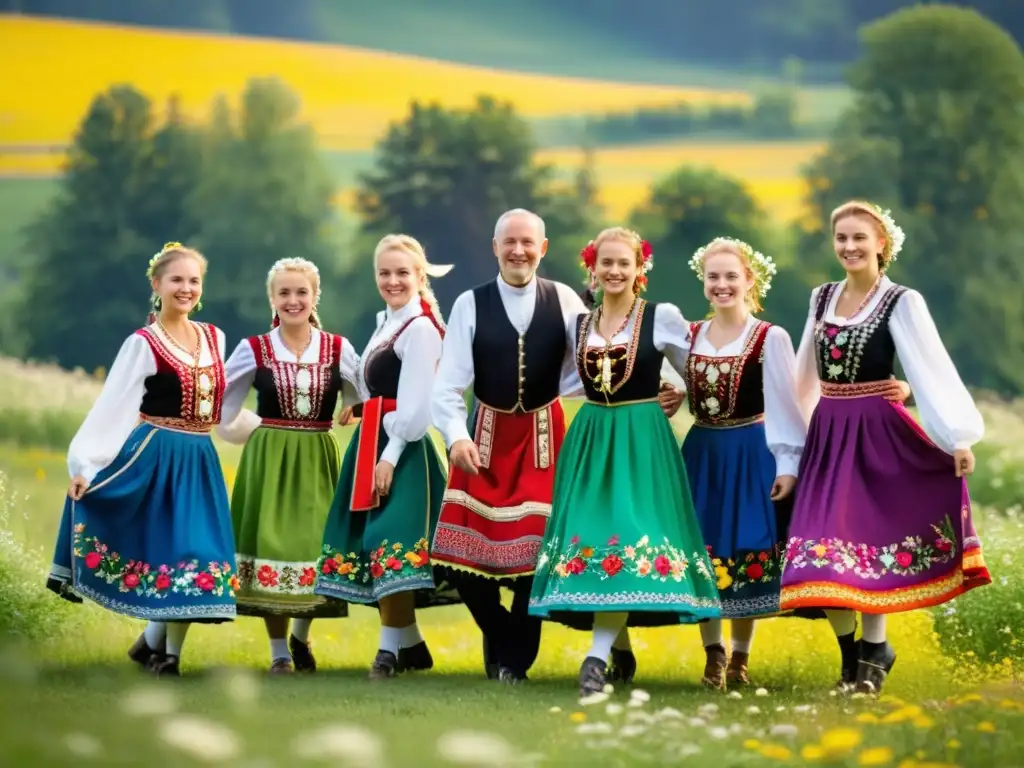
(948, 412)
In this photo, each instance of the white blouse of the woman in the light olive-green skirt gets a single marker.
(237, 423)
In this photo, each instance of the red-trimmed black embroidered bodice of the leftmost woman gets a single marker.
(193, 394)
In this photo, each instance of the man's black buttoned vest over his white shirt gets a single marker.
(511, 373)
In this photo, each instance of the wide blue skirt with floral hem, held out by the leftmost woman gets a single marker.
(152, 537)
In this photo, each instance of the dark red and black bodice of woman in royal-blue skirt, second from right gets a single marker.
(727, 389)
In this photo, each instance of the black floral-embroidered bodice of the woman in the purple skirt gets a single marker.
(864, 352)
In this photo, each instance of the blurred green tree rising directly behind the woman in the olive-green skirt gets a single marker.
(266, 194)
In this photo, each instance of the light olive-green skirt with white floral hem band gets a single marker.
(282, 495)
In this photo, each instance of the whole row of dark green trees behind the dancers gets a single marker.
(934, 134)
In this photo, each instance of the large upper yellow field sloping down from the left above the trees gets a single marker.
(349, 95)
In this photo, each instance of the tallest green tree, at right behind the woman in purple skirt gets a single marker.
(936, 134)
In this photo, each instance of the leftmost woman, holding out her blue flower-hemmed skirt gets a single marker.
(147, 529)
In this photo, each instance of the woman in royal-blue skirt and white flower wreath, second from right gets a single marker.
(743, 452)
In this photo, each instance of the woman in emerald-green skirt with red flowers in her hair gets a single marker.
(623, 542)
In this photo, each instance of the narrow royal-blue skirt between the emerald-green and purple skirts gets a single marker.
(732, 473)
